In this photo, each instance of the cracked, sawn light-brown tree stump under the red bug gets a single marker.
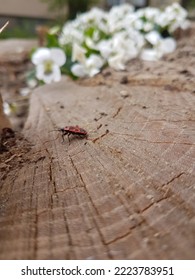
(126, 192)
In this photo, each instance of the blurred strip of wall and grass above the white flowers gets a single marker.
(26, 16)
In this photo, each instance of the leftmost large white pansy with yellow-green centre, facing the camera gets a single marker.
(48, 62)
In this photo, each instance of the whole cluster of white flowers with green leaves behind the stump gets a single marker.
(97, 38)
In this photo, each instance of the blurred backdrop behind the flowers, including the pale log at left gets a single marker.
(28, 23)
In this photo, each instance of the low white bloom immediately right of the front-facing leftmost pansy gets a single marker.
(90, 67)
